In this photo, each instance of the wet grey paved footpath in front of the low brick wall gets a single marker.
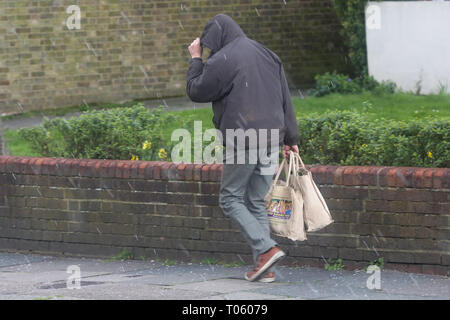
(37, 277)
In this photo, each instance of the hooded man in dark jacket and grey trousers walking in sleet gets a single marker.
(248, 89)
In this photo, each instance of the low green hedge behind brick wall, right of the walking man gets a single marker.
(348, 138)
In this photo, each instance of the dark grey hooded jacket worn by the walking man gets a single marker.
(244, 81)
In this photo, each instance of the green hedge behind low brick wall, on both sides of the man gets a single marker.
(333, 138)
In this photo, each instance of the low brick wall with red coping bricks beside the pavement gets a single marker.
(100, 207)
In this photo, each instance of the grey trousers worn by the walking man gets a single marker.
(242, 191)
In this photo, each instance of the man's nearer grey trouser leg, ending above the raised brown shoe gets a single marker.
(234, 183)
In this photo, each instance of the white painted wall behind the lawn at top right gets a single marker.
(408, 42)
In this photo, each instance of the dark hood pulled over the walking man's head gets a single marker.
(219, 31)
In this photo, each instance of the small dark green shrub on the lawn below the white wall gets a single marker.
(341, 83)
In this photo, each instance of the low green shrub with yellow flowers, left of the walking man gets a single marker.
(118, 133)
